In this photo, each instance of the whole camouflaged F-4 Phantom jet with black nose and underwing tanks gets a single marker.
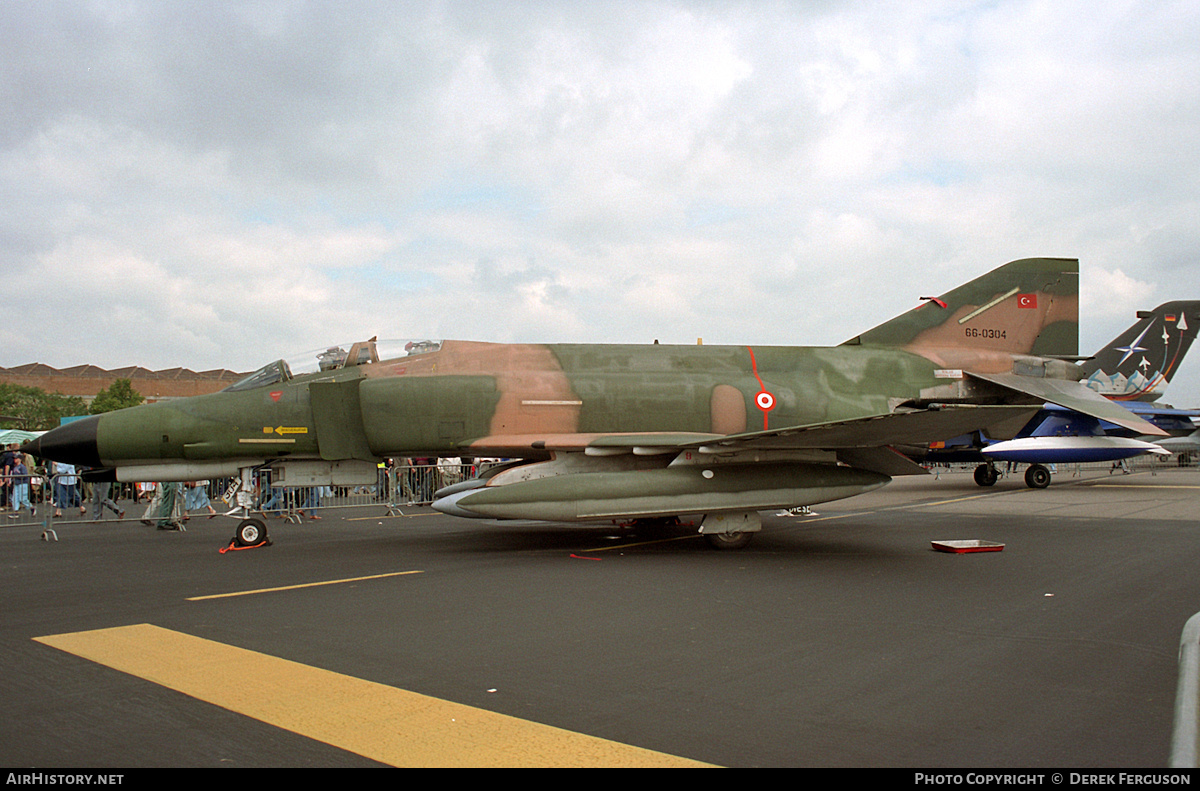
(605, 433)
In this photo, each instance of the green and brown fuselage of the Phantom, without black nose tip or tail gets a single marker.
(488, 399)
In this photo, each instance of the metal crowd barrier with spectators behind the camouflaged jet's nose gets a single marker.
(38, 499)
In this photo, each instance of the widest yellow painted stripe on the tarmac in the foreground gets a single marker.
(381, 723)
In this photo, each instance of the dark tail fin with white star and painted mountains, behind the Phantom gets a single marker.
(1138, 364)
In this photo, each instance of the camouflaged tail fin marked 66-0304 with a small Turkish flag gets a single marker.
(1029, 307)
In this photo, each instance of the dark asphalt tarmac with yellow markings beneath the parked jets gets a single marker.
(839, 639)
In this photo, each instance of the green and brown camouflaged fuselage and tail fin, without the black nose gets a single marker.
(532, 400)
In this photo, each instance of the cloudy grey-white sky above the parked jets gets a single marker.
(211, 184)
